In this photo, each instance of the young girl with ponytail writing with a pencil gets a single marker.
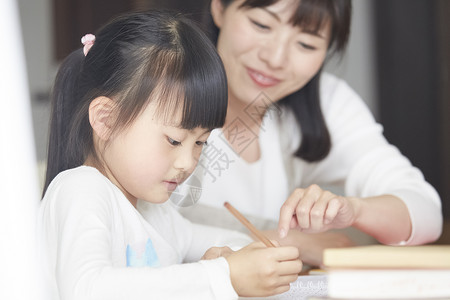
(130, 117)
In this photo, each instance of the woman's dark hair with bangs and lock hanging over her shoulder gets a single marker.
(311, 15)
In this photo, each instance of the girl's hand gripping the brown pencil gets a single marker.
(259, 271)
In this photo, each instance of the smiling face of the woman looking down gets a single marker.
(262, 51)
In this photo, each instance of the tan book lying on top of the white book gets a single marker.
(382, 256)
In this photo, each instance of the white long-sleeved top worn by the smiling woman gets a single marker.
(361, 163)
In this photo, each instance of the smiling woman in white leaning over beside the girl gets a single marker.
(291, 130)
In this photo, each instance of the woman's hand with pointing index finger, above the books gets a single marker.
(316, 210)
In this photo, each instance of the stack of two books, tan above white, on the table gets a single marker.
(388, 272)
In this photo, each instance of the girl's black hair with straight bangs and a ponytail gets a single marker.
(136, 58)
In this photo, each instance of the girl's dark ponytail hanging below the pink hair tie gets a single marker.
(64, 101)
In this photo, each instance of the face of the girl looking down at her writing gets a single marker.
(148, 159)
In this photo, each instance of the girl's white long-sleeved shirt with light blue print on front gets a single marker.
(96, 245)
